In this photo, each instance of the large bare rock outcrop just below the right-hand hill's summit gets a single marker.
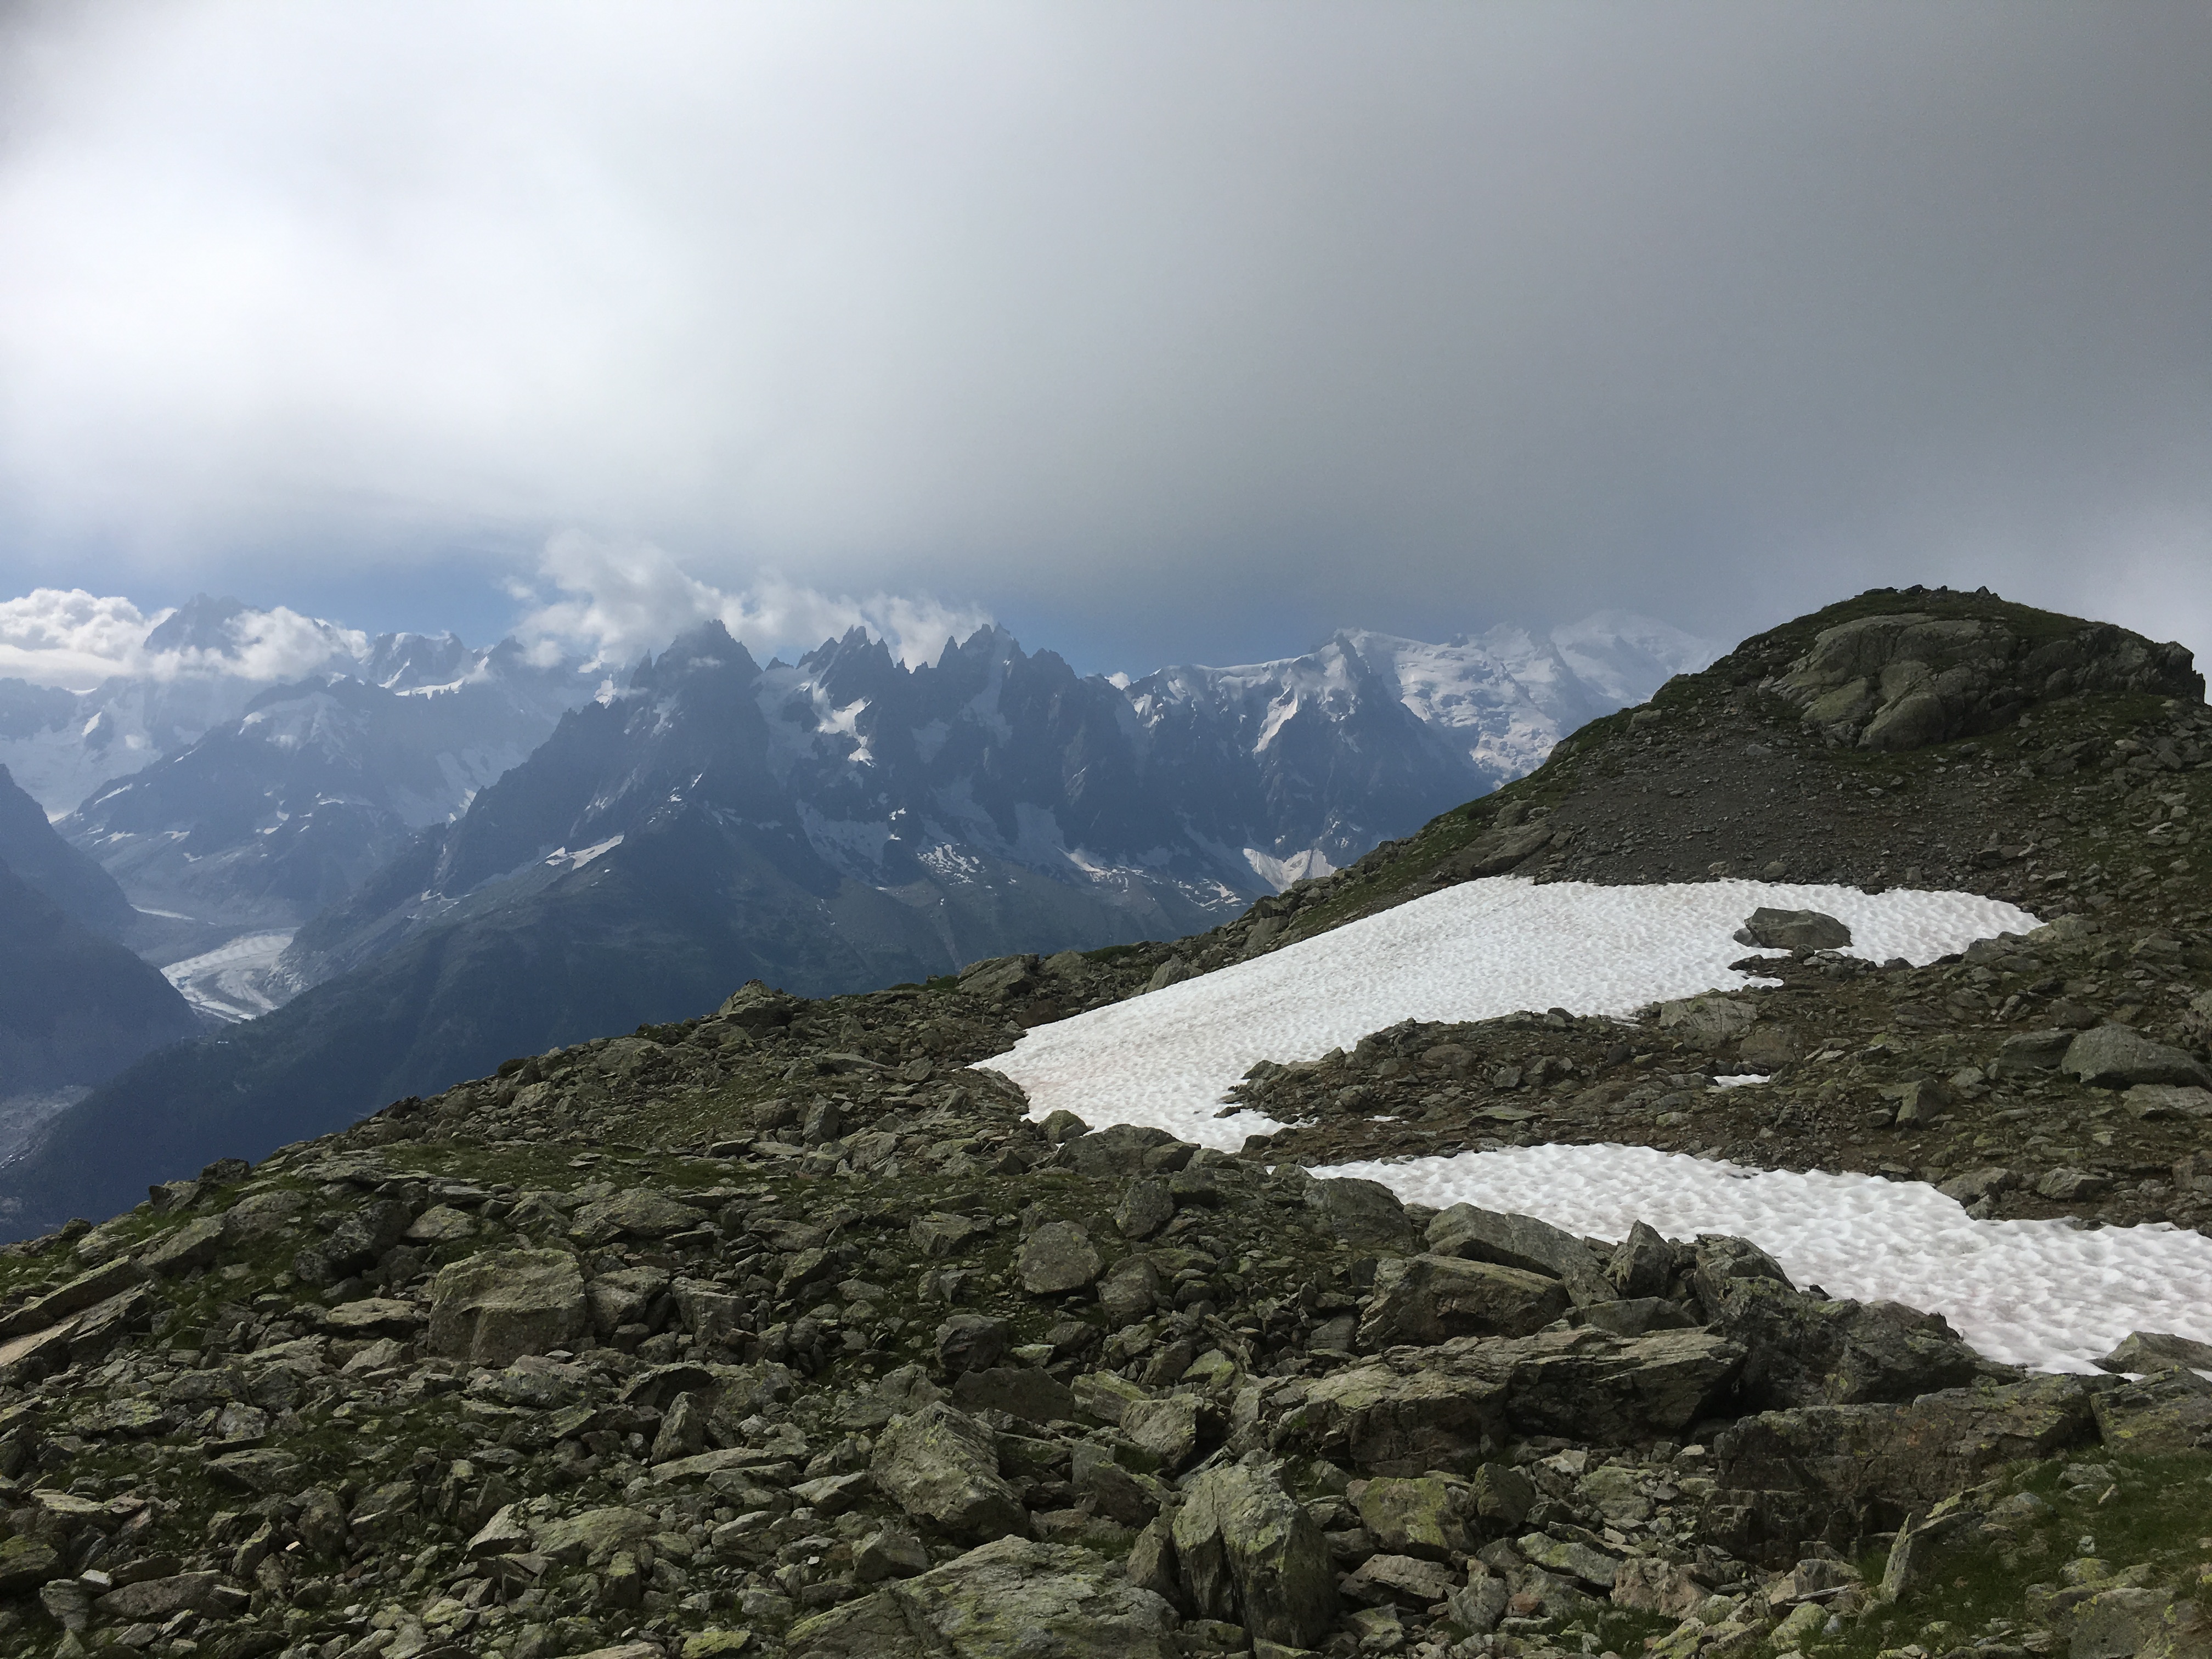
(1910, 680)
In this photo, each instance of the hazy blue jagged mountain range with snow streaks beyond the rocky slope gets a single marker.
(833, 824)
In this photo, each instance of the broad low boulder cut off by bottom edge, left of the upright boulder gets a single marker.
(1005, 1598)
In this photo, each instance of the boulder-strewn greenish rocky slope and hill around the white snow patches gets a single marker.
(789, 1333)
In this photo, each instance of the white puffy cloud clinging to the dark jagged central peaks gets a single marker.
(627, 598)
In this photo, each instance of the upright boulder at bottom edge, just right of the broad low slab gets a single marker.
(1253, 1556)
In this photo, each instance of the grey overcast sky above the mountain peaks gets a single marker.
(1156, 331)
